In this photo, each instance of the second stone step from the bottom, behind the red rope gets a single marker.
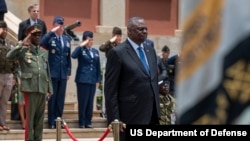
(97, 122)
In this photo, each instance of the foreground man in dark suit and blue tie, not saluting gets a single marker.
(131, 88)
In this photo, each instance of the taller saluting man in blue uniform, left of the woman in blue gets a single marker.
(59, 48)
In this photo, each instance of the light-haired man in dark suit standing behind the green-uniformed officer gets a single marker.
(33, 12)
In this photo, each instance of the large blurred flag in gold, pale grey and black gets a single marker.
(213, 76)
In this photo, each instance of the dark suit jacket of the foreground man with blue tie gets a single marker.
(129, 91)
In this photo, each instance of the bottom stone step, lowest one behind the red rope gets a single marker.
(51, 133)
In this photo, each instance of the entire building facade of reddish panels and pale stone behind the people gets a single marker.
(100, 16)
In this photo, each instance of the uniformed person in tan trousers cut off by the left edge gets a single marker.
(6, 76)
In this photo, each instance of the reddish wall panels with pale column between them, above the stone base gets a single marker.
(101, 15)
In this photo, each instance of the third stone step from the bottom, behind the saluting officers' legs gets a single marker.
(67, 114)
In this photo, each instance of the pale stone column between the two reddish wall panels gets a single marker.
(110, 10)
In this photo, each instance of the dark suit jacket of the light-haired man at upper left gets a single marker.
(24, 24)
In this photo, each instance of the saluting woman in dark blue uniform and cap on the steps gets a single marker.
(88, 77)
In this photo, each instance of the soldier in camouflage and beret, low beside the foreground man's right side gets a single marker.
(167, 104)
